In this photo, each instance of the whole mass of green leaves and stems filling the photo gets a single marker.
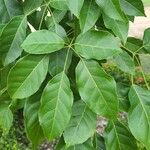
(52, 58)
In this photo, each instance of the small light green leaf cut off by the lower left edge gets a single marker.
(6, 118)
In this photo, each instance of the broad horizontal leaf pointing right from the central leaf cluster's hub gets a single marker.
(100, 46)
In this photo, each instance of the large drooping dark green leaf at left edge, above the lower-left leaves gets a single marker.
(13, 35)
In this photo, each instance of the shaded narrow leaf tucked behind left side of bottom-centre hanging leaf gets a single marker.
(33, 128)
